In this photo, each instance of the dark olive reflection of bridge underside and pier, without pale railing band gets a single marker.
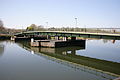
(69, 54)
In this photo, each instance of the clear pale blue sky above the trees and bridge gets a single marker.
(60, 13)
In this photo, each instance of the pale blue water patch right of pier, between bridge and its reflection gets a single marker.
(102, 49)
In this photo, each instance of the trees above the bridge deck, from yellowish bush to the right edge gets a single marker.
(34, 27)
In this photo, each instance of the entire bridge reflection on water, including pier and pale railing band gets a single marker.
(67, 56)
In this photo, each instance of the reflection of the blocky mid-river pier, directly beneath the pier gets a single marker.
(62, 51)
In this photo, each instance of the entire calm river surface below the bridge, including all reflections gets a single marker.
(19, 61)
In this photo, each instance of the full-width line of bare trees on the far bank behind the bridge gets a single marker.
(34, 27)
